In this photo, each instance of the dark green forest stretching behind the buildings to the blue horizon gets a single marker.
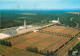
(13, 18)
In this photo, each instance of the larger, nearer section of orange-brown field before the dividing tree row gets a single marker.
(42, 41)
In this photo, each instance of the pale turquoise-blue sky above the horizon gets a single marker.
(39, 4)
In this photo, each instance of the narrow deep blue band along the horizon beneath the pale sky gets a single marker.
(52, 10)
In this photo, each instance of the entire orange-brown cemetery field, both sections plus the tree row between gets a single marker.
(52, 38)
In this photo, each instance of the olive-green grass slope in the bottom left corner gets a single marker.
(10, 51)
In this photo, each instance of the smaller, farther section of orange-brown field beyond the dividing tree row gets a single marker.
(61, 30)
